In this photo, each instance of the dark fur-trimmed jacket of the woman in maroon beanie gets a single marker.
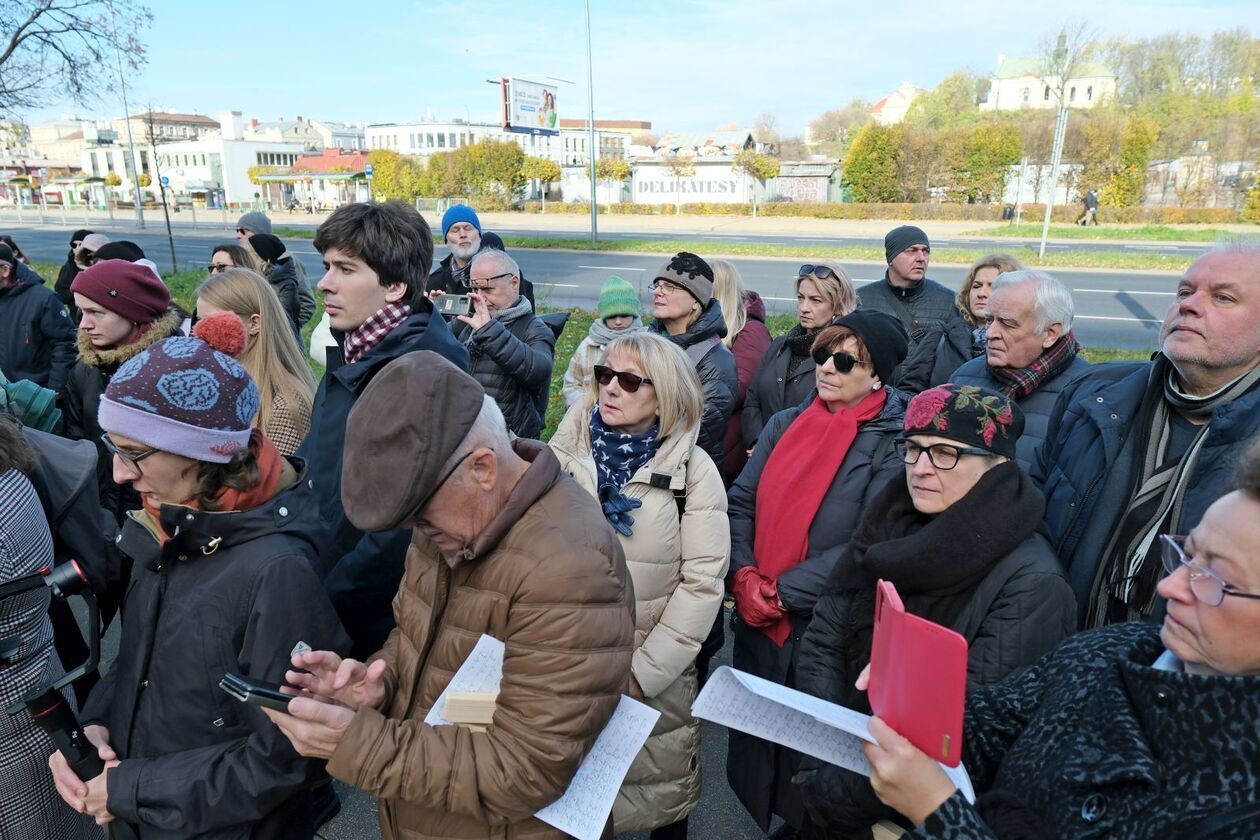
(84, 390)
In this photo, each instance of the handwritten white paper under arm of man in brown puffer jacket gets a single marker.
(585, 807)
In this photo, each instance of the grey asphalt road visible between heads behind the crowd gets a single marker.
(1116, 309)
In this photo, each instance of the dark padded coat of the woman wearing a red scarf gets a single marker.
(759, 773)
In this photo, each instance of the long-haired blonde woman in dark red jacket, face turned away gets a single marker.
(748, 338)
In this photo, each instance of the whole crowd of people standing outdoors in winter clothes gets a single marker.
(1088, 530)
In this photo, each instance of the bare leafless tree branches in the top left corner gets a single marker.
(65, 48)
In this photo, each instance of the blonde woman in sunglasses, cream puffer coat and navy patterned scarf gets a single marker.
(633, 443)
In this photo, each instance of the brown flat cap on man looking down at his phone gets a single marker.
(405, 426)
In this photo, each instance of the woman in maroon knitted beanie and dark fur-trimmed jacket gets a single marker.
(125, 310)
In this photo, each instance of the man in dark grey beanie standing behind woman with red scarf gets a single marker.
(907, 293)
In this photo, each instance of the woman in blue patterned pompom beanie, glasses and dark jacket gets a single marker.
(224, 582)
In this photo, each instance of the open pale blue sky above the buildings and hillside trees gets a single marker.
(682, 65)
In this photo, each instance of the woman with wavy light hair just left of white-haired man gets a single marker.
(962, 337)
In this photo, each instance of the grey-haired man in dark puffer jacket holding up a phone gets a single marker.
(512, 351)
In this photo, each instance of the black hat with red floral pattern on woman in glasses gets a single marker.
(971, 415)
